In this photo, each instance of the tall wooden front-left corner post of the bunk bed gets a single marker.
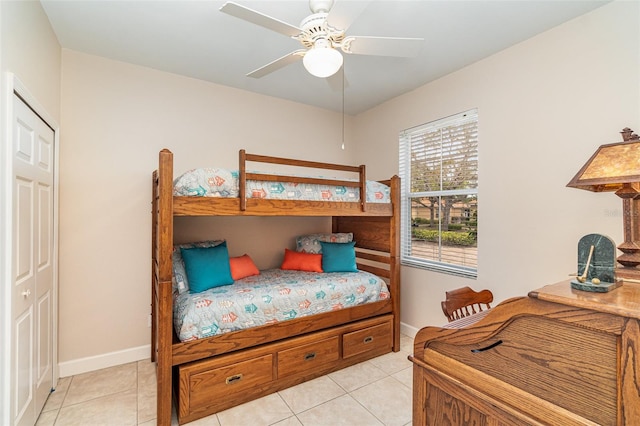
(162, 300)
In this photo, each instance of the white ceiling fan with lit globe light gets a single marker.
(321, 41)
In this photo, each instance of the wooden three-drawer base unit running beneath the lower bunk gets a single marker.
(220, 382)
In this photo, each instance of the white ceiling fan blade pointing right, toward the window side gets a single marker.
(382, 46)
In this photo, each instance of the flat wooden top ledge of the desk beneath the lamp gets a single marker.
(623, 301)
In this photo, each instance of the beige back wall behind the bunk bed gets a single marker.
(115, 119)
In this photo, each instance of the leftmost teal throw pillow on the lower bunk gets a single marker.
(207, 267)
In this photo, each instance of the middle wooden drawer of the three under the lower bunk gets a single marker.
(308, 357)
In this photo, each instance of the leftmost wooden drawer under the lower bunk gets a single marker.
(207, 383)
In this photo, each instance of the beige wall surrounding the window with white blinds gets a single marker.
(544, 106)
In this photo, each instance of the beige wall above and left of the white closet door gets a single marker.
(29, 50)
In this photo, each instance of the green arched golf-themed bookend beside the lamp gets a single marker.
(596, 264)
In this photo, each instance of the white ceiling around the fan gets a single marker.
(195, 39)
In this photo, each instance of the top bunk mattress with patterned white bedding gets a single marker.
(214, 182)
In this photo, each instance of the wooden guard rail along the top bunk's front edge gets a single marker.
(361, 183)
